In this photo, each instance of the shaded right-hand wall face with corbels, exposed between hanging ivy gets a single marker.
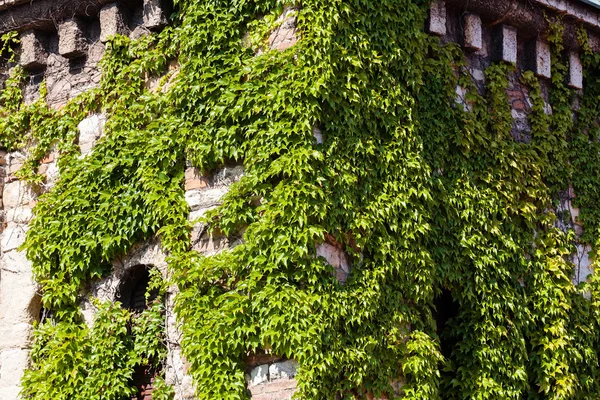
(516, 32)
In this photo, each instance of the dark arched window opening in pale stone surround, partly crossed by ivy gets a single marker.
(132, 295)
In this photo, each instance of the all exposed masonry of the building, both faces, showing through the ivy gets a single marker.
(62, 41)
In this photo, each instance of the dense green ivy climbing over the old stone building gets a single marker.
(426, 195)
